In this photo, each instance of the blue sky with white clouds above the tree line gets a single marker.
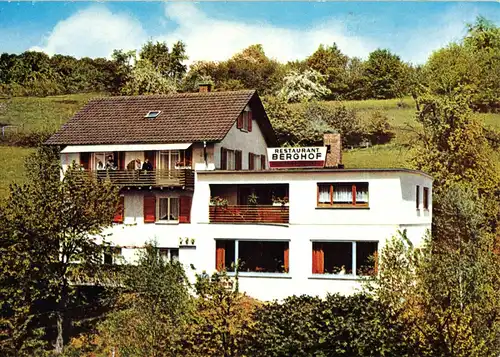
(217, 30)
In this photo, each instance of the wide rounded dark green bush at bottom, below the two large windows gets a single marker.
(336, 326)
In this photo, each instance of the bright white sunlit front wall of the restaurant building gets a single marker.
(391, 208)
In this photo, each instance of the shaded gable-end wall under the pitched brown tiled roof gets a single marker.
(247, 142)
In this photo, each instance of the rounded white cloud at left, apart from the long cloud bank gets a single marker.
(94, 32)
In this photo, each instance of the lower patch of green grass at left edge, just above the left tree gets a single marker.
(12, 164)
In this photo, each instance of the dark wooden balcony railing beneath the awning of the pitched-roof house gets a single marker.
(177, 177)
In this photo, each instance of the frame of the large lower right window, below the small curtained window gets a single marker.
(354, 265)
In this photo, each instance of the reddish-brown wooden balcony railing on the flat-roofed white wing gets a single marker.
(249, 214)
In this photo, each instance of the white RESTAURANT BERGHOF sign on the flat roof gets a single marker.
(296, 157)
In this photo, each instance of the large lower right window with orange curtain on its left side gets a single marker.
(344, 258)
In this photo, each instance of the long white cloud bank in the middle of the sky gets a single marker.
(213, 39)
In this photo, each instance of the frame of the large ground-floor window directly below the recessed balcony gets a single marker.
(286, 257)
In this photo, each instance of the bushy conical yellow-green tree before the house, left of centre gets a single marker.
(154, 308)
